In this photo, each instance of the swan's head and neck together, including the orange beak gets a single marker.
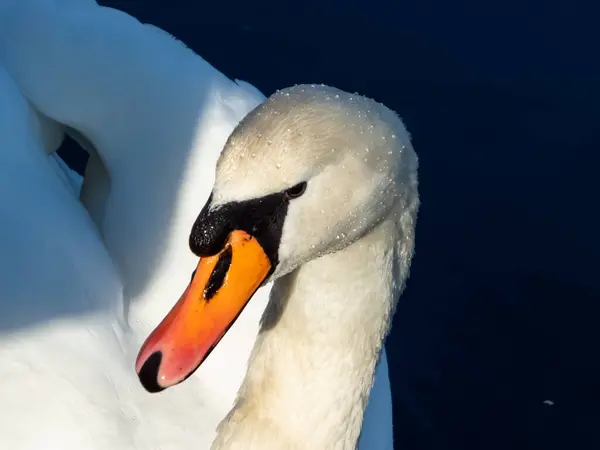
(316, 190)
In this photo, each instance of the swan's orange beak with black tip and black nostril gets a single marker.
(219, 290)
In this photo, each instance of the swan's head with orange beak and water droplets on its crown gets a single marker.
(306, 173)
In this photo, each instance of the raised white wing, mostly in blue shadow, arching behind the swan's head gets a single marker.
(158, 119)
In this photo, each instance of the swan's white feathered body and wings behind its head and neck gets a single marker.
(158, 120)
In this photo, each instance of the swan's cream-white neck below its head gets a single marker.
(312, 368)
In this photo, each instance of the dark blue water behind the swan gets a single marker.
(502, 99)
